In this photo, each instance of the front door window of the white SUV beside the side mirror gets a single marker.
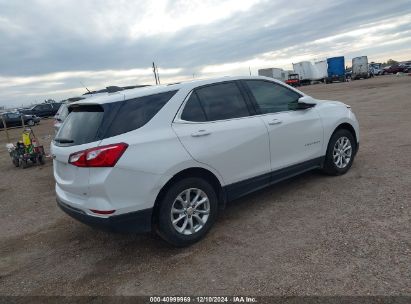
(272, 97)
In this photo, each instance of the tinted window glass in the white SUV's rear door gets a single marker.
(222, 101)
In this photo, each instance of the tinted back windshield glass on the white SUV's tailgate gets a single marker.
(81, 125)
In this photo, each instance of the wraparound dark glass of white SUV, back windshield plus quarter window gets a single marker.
(88, 123)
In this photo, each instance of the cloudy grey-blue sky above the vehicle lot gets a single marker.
(49, 47)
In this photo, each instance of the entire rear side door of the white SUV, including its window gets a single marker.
(216, 128)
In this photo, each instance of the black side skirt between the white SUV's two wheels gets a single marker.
(239, 189)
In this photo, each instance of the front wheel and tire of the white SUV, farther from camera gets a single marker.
(340, 153)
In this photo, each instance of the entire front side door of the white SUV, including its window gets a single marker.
(296, 136)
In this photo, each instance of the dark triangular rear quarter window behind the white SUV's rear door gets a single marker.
(135, 113)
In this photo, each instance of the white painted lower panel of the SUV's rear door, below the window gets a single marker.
(244, 138)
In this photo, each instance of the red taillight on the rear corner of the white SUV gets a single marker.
(103, 156)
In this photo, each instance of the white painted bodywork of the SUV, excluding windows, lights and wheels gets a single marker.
(235, 150)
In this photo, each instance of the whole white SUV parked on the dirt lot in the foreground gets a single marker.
(167, 158)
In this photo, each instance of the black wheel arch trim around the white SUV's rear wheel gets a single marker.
(191, 172)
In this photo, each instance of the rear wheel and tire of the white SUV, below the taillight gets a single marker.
(187, 211)
